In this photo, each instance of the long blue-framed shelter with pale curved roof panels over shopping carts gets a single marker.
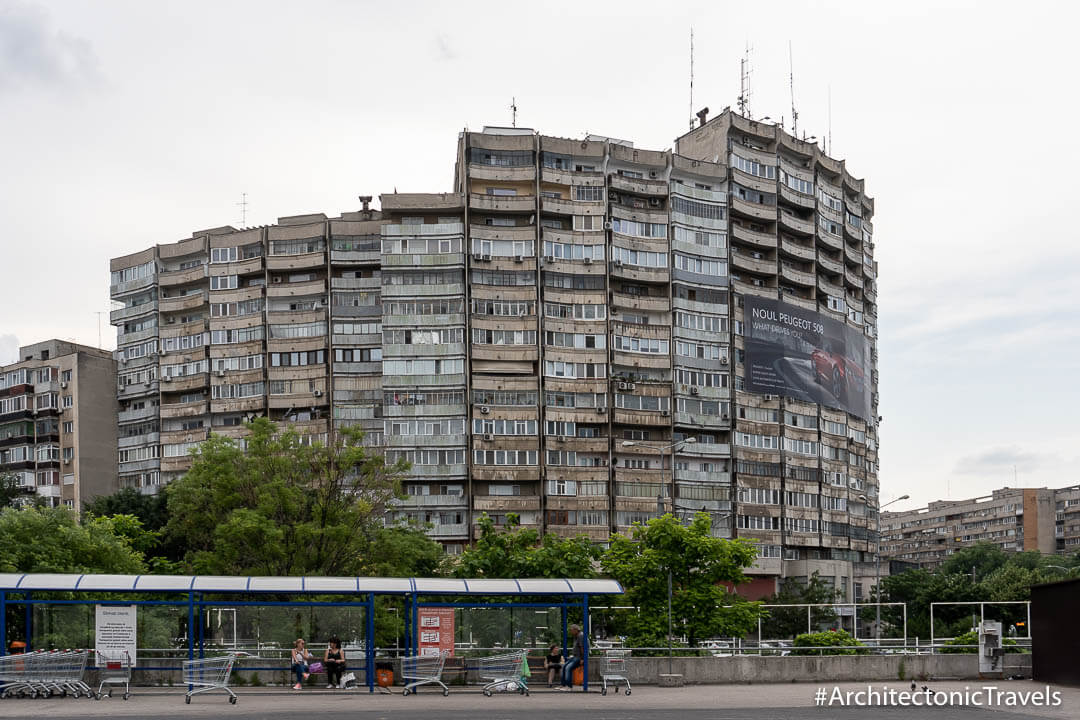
(200, 593)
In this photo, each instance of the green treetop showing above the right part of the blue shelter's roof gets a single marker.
(517, 552)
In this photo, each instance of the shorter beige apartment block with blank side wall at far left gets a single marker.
(58, 423)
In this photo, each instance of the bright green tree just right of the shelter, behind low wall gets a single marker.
(699, 565)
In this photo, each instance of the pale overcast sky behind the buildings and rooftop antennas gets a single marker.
(127, 125)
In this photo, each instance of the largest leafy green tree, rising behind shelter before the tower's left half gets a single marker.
(281, 507)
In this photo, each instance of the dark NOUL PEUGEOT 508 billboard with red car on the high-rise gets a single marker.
(803, 355)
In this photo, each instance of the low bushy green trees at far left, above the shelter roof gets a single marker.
(52, 540)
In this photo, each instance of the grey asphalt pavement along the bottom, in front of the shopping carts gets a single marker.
(772, 702)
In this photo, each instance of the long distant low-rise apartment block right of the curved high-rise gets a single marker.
(1017, 520)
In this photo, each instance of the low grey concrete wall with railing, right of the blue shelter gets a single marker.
(838, 669)
